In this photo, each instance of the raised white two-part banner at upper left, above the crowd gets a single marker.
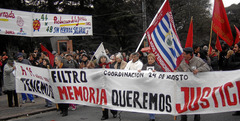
(21, 23)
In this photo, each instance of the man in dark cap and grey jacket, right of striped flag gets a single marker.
(194, 64)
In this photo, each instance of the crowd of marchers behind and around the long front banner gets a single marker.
(196, 59)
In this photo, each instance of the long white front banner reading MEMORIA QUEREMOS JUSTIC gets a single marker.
(172, 93)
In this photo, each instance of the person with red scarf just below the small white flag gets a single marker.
(104, 62)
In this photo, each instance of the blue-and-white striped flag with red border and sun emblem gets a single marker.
(163, 39)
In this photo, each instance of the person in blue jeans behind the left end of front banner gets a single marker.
(25, 61)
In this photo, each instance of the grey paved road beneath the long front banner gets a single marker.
(85, 113)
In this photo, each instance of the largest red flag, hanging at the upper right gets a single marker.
(220, 22)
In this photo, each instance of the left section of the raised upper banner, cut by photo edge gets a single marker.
(16, 23)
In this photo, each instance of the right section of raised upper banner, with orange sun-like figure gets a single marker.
(61, 25)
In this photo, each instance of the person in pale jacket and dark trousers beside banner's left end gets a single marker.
(9, 83)
